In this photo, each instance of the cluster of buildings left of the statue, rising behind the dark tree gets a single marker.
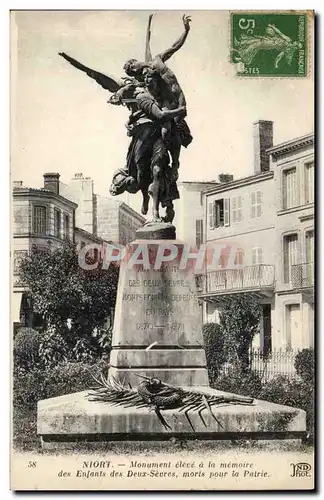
(47, 217)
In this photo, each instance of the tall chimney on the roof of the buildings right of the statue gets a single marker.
(262, 140)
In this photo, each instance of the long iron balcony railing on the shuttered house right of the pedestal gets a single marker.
(246, 278)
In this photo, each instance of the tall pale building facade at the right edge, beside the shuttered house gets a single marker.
(293, 166)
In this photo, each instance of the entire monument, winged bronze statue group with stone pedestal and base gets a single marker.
(157, 385)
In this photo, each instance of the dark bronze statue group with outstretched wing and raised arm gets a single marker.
(156, 125)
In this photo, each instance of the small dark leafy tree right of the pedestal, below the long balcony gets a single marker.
(239, 320)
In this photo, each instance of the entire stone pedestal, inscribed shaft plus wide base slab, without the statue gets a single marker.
(157, 333)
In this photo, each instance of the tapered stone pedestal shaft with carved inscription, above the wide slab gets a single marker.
(157, 328)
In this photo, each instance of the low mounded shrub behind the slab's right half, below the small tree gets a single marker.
(244, 383)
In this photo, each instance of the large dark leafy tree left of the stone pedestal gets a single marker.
(61, 290)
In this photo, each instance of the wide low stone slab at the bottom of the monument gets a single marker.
(73, 417)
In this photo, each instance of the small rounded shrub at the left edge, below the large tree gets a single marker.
(26, 348)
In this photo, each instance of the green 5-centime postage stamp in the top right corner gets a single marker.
(269, 43)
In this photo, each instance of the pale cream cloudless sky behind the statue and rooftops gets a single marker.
(60, 119)
